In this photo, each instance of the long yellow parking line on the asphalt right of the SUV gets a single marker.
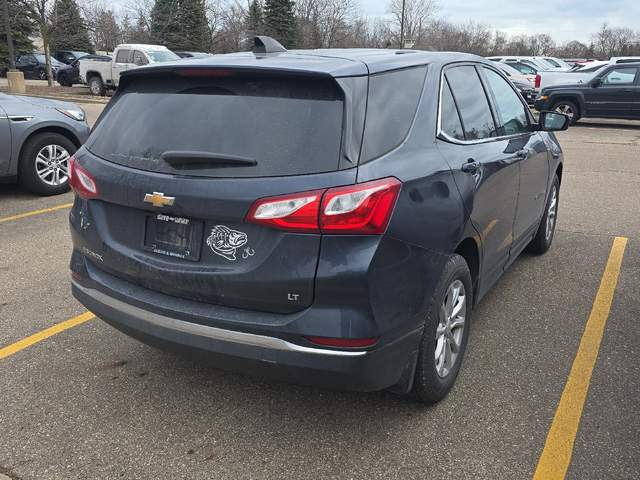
(555, 458)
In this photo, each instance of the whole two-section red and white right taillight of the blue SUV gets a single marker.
(362, 209)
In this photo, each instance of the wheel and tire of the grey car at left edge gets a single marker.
(35, 172)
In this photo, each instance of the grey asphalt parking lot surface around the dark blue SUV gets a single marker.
(89, 402)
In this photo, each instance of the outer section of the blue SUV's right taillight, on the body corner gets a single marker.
(364, 208)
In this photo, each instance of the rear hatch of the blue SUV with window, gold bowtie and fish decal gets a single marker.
(178, 163)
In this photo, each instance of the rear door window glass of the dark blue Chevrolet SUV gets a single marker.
(472, 102)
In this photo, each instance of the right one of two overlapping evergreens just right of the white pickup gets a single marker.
(192, 26)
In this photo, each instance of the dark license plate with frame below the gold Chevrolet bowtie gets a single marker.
(173, 236)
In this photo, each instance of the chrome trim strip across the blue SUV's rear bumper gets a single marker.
(230, 336)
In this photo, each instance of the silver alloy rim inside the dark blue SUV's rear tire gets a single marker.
(450, 328)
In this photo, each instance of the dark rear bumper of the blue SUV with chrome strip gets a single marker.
(264, 354)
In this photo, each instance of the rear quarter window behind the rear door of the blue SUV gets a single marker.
(393, 101)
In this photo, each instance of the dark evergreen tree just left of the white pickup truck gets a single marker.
(71, 31)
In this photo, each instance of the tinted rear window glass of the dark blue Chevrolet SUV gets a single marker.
(288, 126)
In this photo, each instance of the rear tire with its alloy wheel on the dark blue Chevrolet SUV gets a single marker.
(435, 377)
